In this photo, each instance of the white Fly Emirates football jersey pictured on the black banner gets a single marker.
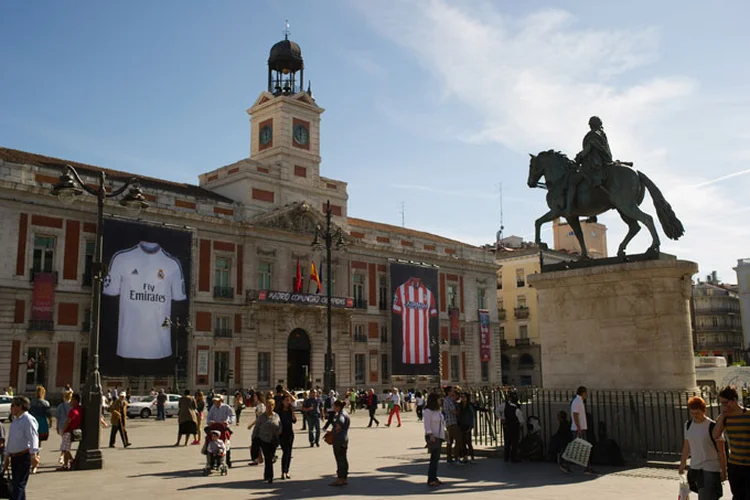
(147, 280)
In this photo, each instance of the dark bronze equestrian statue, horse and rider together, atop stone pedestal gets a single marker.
(594, 184)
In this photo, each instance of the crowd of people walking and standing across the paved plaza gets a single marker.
(718, 450)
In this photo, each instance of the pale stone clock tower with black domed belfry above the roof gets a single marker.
(284, 163)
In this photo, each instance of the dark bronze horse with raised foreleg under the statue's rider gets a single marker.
(623, 190)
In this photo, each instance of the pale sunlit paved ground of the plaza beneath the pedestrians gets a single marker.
(384, 462)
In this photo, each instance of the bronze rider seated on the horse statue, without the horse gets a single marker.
(593, 159)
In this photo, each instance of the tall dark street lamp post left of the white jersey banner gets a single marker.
(70, 185)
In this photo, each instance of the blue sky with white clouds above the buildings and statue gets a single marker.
(434, 103)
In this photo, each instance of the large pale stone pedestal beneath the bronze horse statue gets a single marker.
(622, 326)
